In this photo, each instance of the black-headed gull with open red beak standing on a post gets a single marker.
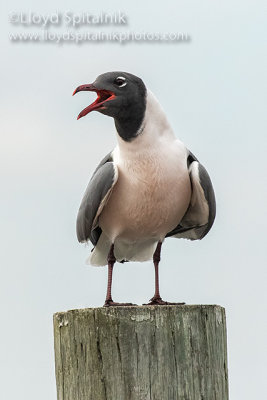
(148, 188)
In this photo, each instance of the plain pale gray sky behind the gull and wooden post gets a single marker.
(212, 90)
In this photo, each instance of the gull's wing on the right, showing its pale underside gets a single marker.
(201, 212)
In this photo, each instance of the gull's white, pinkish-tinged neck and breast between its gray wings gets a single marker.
(153, 189)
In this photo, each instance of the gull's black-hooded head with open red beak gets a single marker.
(122, 96)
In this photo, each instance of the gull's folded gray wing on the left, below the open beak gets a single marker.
(94, 199)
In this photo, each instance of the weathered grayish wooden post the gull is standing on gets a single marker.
(141, 353)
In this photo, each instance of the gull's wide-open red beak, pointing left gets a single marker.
(102, 97)
